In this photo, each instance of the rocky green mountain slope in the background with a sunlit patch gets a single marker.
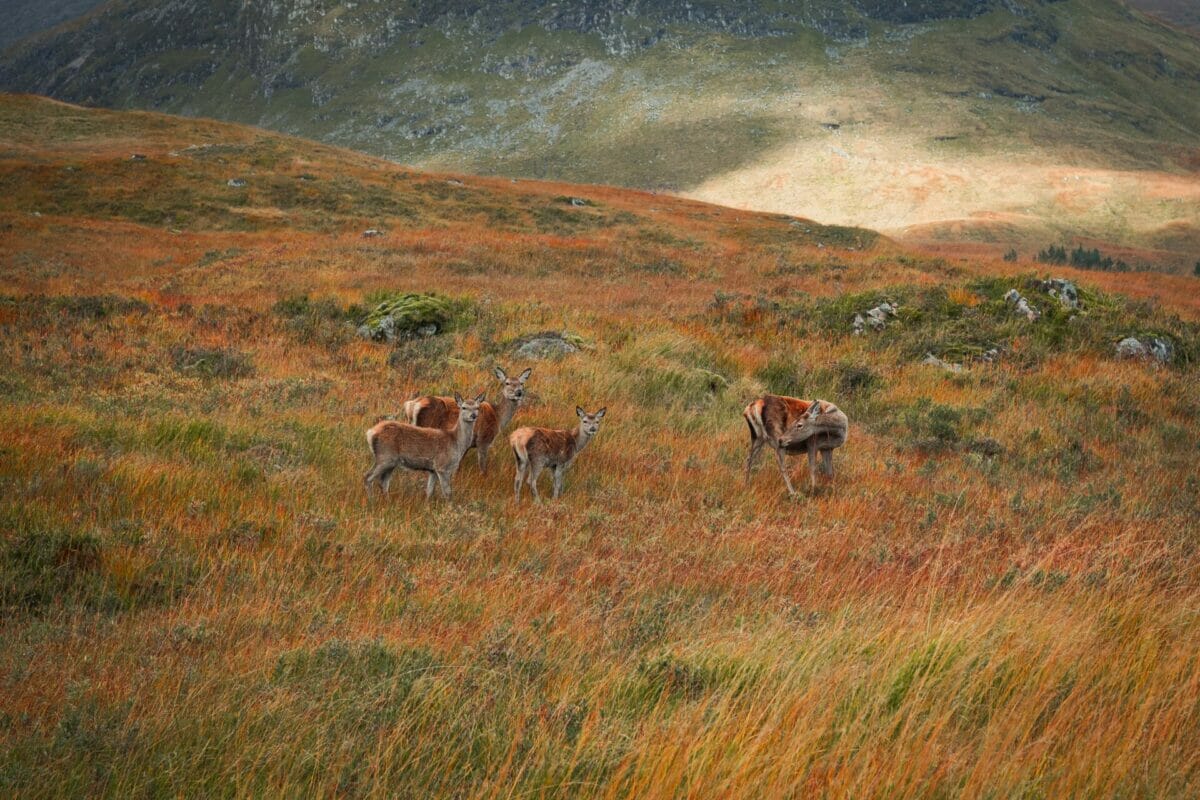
(1012, 124)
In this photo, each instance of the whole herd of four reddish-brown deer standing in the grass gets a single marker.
(440, 431)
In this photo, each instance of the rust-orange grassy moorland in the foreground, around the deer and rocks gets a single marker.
(195, 599)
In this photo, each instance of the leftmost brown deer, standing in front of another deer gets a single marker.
(424, 450)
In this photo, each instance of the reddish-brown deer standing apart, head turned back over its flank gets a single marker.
(791, 425)
